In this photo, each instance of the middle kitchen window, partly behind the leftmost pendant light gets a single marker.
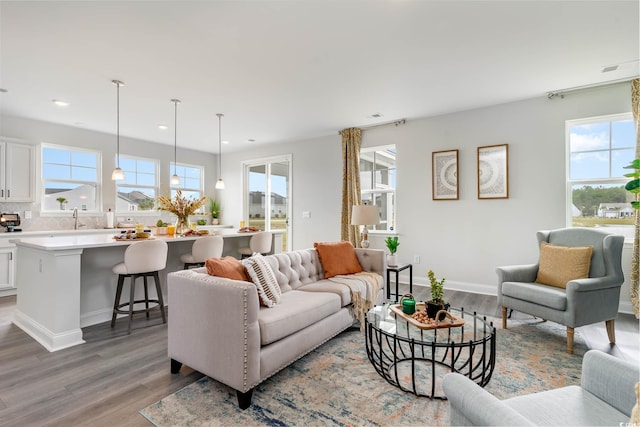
(138, 191)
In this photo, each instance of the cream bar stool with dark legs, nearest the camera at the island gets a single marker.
(141, 259)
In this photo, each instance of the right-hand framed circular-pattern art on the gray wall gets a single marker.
(493, 172)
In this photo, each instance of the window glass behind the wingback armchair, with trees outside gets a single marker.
(598, 150)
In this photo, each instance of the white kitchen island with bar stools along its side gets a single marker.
(66, 282)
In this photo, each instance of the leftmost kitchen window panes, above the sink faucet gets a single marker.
(70, 178)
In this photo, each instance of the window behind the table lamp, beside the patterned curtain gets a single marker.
(378, 182)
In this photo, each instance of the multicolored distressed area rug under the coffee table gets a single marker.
(335, 385)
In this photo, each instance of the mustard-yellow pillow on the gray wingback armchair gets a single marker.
(561, 264)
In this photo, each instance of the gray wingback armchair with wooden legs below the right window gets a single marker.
(584, 301)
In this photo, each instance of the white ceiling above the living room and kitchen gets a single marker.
(293, 70)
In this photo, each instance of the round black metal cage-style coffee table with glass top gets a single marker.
(415, 360)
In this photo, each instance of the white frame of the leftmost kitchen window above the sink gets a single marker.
(97, 183)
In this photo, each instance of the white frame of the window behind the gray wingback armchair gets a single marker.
(590, 181)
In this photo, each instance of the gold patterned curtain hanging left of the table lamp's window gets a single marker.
(351, 143)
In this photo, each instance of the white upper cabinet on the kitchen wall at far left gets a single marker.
(17, 172)
